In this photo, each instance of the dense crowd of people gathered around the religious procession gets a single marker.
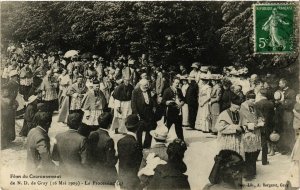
(93, 96)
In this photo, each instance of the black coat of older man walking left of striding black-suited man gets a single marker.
(139, 106)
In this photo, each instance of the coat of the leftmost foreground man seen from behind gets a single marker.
(38, 151)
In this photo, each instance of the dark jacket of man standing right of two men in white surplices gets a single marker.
(266, 107)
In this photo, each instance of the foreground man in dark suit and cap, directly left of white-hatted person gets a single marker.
(130, 155)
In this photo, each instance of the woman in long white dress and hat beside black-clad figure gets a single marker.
(203, 121)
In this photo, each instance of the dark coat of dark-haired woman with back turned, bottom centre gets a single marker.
(169, 177)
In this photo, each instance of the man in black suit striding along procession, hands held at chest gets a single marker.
(173, 99)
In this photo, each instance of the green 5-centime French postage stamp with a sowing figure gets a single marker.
(274, 28)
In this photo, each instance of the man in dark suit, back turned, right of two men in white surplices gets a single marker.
(266, 107)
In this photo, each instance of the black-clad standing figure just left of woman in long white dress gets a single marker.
(191, 99)
